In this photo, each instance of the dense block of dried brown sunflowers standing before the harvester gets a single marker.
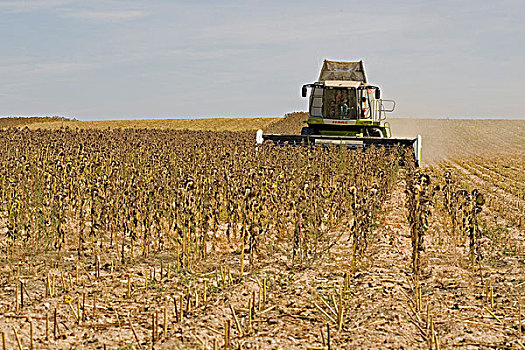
(137, 192)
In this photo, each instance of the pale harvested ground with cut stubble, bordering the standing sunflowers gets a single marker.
(479, 306)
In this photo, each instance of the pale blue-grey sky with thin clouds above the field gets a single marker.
(93, 60)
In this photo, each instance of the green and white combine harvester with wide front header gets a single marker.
(345, 110)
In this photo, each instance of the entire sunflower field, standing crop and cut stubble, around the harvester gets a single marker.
(149, 237)
